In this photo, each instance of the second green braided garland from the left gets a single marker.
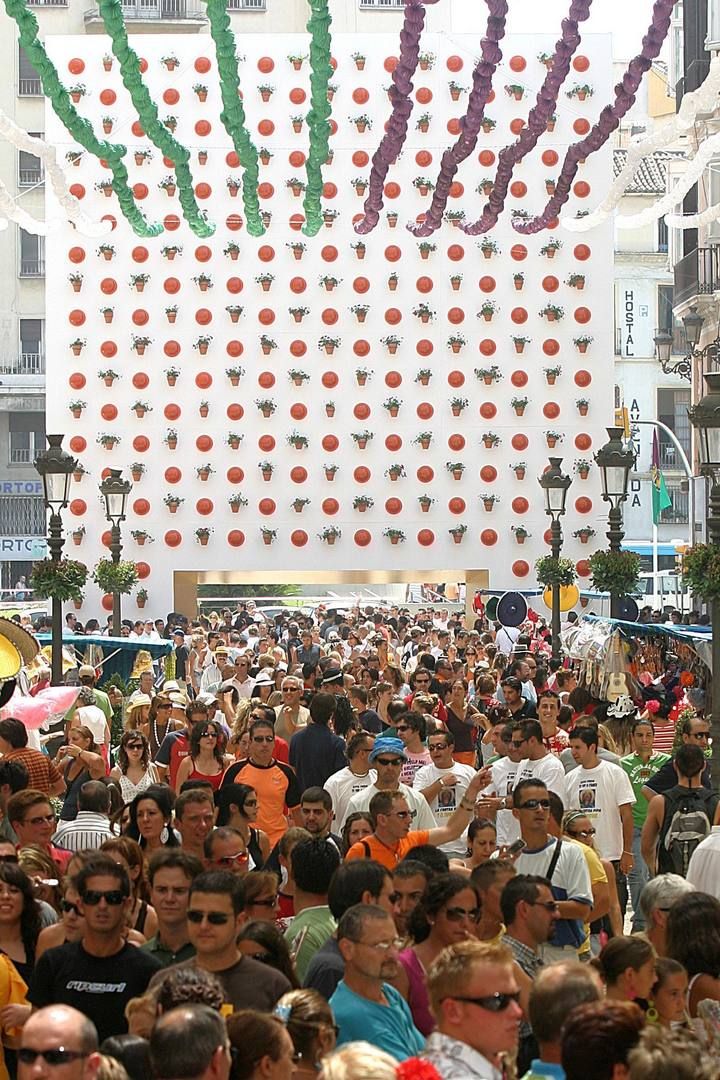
(130, 70)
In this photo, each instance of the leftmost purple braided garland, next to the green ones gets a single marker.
(398, 126)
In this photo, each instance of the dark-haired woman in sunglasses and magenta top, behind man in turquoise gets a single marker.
(449, 913)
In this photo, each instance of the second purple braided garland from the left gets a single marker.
(491, 57)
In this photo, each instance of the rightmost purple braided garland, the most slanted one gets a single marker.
(609, 119)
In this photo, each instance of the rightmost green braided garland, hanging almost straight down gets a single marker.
(319, 28)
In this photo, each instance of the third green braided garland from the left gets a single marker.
(234, 114)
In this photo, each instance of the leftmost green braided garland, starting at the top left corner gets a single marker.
(77, 126)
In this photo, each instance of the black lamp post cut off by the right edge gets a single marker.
(705, 418)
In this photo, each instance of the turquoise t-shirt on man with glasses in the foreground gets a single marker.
(390, 1028)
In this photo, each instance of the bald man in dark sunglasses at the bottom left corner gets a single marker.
(59, 1044)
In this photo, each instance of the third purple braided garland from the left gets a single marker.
(538, 119)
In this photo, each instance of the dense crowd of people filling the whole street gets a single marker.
(365, 844)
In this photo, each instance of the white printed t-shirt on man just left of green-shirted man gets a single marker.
(600, 793)
